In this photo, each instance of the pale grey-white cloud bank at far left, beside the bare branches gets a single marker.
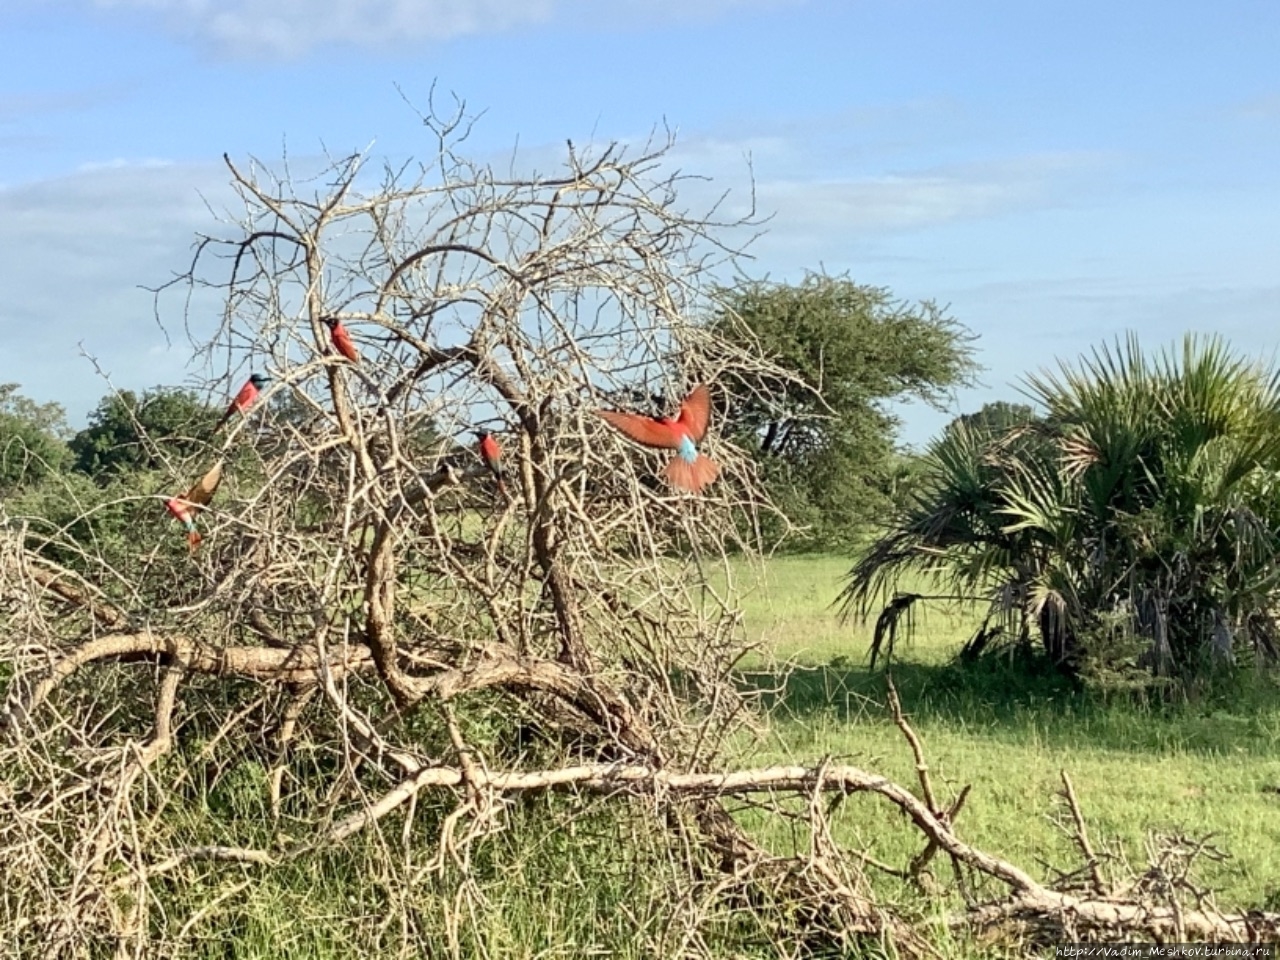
(75, 255)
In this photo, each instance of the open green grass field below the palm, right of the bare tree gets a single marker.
(1210, 766)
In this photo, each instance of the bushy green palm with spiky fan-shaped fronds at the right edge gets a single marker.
(1146, 496)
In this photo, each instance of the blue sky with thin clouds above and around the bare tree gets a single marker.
(1058, 173)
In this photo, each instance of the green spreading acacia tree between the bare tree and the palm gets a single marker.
(825, 436)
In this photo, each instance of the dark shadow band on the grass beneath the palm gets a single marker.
(1022, 701)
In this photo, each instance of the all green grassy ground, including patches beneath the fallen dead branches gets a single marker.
(566, 885)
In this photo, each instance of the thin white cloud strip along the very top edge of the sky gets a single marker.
(289, 29)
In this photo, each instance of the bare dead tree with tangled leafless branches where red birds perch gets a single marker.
(400, 648)
